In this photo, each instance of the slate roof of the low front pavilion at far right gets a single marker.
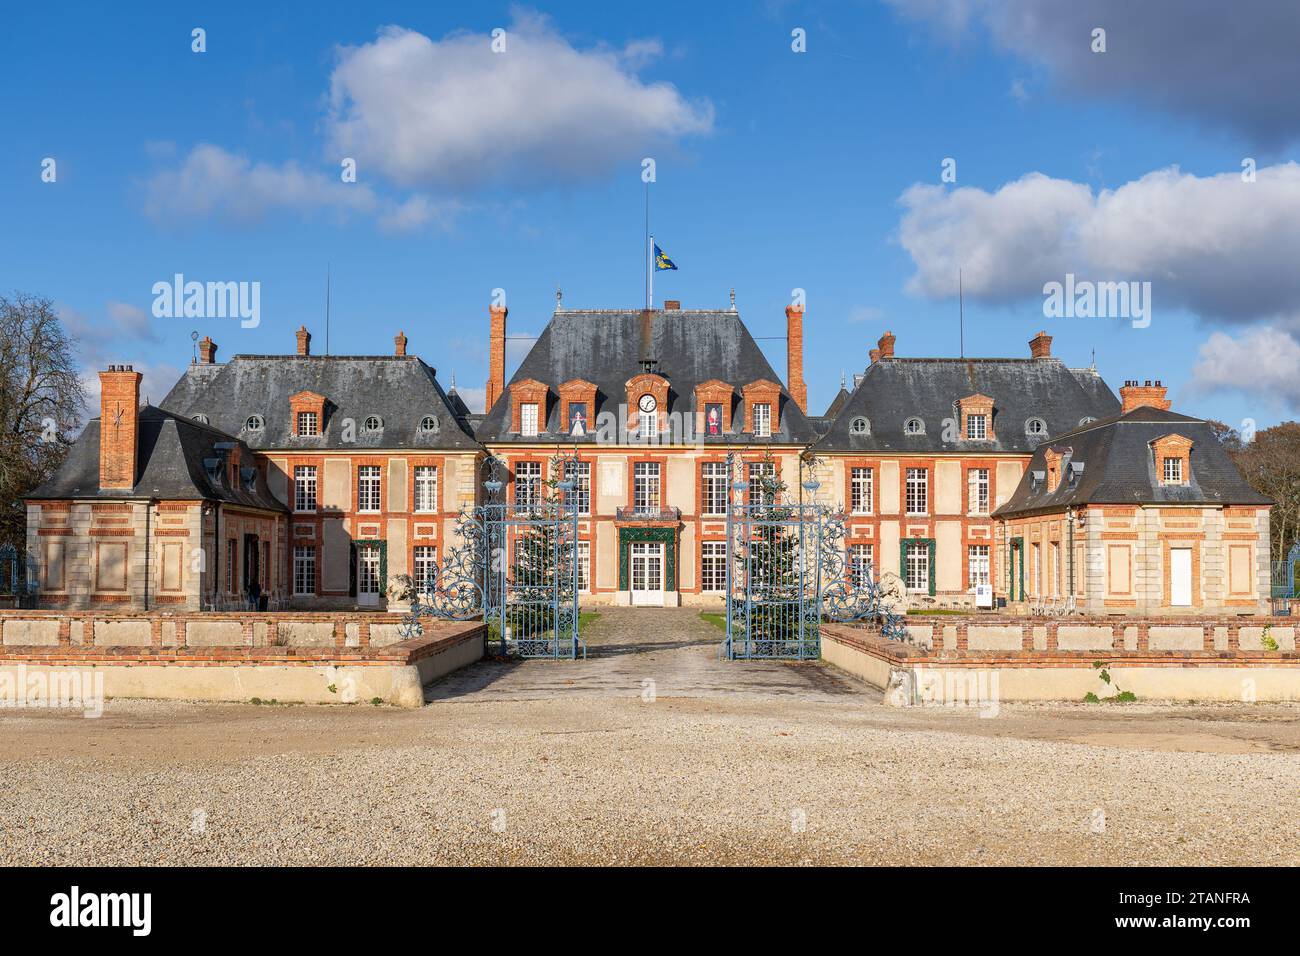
(1120, 468)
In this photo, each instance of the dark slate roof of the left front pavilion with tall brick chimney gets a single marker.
(172, 456)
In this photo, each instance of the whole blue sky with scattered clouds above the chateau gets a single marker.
(775, 171)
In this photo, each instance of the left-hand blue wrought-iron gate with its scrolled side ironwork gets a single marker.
(515, 566)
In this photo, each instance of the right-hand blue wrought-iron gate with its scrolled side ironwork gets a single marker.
(787, 573)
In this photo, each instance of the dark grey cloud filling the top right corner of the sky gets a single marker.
(1230, 64)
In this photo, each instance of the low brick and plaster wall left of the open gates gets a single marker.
(291, 657)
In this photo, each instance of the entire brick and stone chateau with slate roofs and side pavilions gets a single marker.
(320, 479)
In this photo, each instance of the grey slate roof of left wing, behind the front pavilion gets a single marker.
(400, 390)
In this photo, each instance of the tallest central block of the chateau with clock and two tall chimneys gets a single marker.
(651, 403)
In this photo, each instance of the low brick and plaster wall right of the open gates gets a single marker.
(1033, 659)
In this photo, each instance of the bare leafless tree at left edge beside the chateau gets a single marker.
(42, 400)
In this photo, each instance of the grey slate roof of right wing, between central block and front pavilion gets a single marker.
(896, 390)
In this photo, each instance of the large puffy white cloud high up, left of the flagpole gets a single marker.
(453, 113)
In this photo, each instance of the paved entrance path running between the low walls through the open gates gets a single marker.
(627, 647)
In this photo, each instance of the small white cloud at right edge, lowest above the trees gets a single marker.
(1262, 364)
